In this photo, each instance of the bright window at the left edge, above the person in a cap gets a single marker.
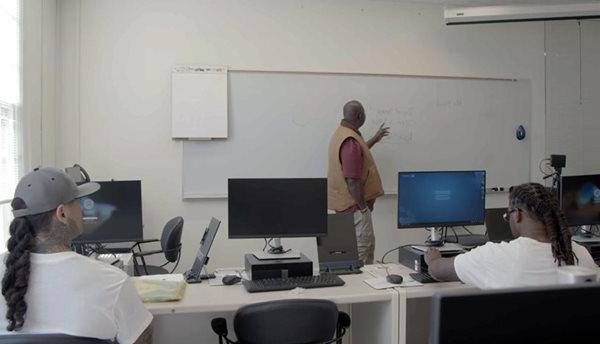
(11, 157)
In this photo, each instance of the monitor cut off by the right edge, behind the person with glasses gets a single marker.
(580, 199)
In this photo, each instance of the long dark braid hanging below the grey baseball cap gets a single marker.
(16, 277)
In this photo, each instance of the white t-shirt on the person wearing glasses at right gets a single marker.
(519, 263)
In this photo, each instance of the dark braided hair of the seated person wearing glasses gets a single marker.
(542, 205)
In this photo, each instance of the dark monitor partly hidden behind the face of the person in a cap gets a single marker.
(113, 213)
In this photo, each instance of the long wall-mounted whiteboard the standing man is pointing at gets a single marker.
(281, 123)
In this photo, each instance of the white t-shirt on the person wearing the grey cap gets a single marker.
(79, 296)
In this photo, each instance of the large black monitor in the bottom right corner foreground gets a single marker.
(557, 314)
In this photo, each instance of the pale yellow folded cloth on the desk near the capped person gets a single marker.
(159, 288)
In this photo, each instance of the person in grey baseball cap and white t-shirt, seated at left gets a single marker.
(47, 288)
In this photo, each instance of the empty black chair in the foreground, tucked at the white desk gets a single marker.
(299, 321)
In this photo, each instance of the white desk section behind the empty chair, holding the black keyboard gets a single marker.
(374, 313)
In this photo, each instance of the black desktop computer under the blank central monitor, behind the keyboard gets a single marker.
(277, 268)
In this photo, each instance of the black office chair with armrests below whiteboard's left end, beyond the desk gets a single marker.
(170, 243)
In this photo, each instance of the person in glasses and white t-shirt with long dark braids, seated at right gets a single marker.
(543, 242)
